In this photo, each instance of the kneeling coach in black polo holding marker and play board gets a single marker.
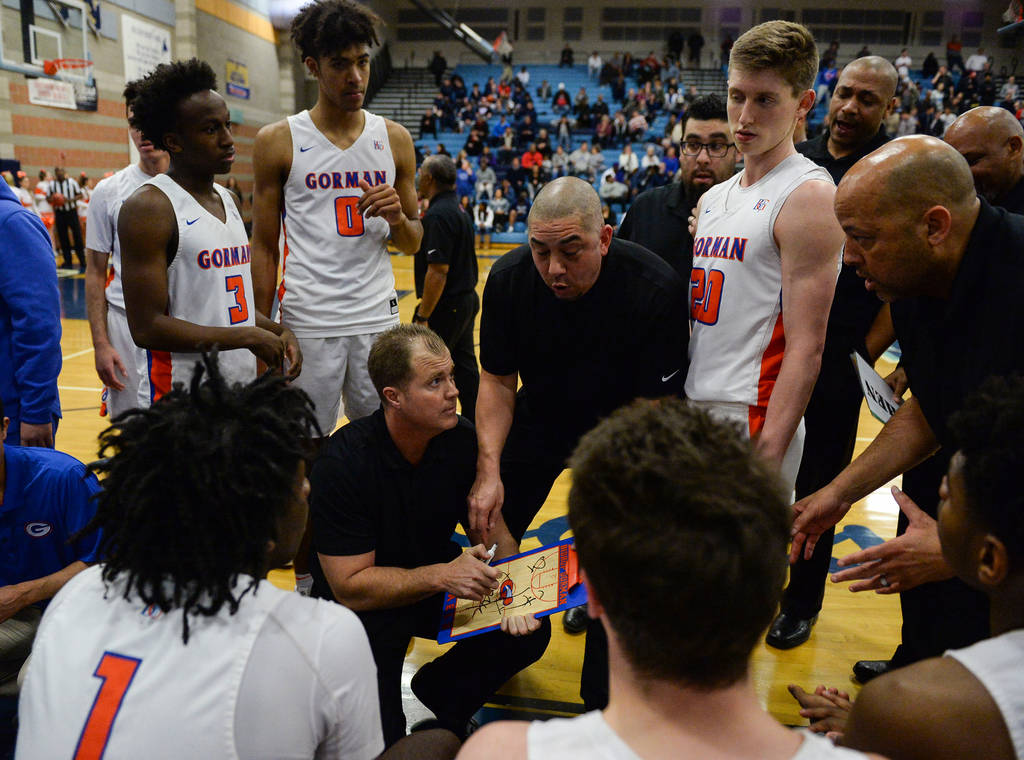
(387, 495)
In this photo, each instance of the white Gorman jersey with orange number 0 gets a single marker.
(337, 277)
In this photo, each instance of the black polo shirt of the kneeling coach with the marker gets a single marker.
(365, 496)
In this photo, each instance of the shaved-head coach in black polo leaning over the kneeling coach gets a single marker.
(588, 323)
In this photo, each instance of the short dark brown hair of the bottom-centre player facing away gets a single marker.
(682, 531)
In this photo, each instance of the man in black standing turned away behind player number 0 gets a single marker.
(446, 275)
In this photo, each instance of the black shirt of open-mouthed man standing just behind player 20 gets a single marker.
(855, 309)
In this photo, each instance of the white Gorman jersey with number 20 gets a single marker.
(739, 339)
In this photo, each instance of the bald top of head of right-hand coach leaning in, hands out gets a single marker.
(910, 176)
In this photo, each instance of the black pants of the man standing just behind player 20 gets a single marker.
(831, 426)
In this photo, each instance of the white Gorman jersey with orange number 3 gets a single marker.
(208, 283)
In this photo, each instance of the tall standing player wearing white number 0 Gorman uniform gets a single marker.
(344, 181)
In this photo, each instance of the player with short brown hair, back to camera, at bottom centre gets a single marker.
(678, 499)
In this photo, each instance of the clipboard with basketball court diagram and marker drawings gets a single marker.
(538, 582)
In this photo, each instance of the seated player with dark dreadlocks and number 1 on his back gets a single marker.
(174, 645)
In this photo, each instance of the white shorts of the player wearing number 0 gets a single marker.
(336, 368)
